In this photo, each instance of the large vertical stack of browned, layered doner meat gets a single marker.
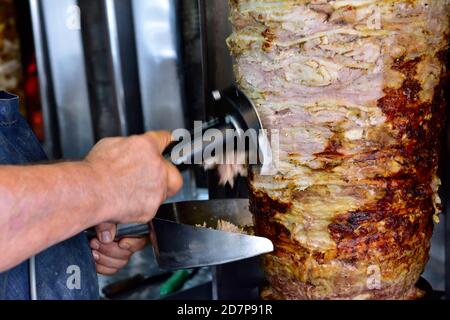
(356, 90)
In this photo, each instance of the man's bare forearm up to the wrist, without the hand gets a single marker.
(42, 205)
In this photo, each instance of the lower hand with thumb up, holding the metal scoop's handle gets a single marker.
(111, 256)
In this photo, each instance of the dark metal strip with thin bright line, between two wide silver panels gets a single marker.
(110, 58)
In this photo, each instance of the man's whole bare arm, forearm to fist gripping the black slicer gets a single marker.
(122, 180)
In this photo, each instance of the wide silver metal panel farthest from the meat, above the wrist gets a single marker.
(68, 74)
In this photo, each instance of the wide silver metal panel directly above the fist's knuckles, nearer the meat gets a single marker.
(158, 58)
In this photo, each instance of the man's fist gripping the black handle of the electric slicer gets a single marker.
(134, 177)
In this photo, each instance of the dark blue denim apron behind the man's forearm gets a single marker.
(65, 271)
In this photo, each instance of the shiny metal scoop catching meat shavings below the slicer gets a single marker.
(179, 242)
